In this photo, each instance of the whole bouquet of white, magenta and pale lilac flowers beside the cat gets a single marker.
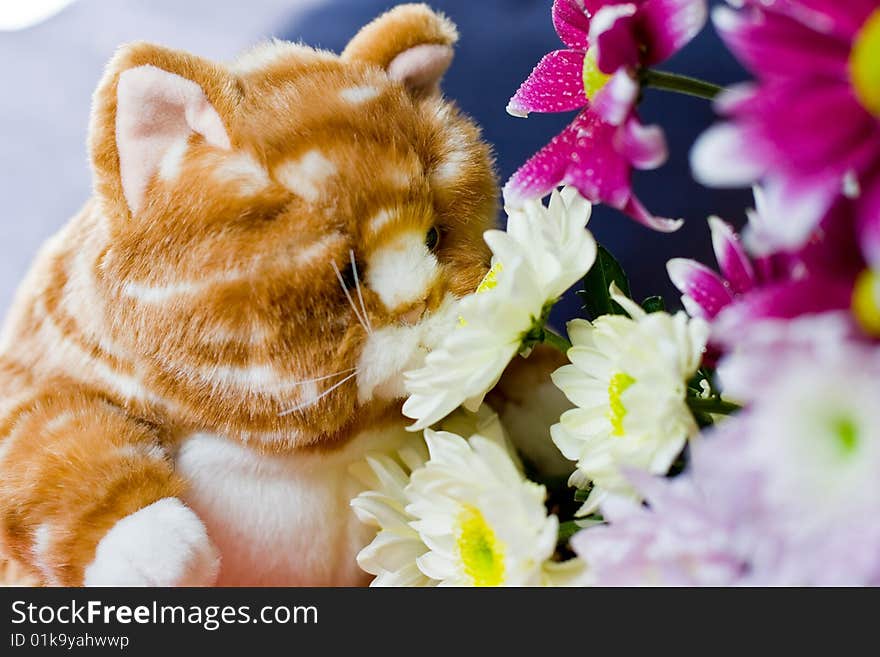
(736, 442)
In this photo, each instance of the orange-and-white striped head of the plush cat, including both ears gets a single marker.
(285, 229)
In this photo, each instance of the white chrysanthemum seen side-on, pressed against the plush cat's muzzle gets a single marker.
(544, 252)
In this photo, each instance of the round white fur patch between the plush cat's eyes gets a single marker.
(403, 271)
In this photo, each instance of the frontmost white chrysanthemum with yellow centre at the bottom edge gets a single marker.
(483, 523)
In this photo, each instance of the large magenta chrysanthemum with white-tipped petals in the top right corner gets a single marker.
(809, 127)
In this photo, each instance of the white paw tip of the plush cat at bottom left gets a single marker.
(164, 544)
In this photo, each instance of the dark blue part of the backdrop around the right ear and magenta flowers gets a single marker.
(501, 41)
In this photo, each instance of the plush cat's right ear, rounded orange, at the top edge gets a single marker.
(411, 42)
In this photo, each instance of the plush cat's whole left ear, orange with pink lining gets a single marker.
(150, 101)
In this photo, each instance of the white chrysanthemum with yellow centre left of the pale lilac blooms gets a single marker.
(628, 379)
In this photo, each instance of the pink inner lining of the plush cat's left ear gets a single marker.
(154, 110)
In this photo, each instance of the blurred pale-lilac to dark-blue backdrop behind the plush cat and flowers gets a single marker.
(52, 53)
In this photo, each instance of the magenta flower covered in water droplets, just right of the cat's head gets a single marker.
(609, 43)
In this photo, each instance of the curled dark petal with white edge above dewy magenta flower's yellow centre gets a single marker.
(613, 32)
